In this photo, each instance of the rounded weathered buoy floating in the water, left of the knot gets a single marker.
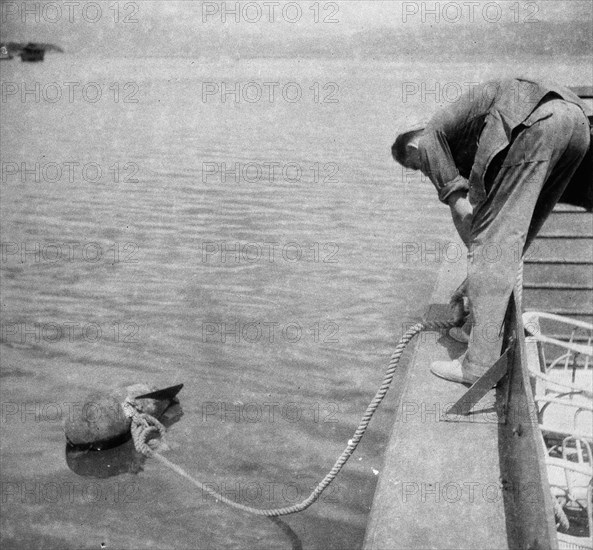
(99, 423)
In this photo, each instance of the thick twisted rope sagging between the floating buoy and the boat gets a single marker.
(144, 425)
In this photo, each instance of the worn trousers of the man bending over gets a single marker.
(540, 161)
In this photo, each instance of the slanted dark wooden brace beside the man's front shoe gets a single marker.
(464, 406)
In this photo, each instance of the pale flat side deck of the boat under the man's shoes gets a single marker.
(440, 485)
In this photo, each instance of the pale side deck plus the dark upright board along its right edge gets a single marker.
(477, 481)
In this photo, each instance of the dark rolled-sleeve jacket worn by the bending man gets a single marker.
(460, 142)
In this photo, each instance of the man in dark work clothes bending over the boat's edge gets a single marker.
(501, 158)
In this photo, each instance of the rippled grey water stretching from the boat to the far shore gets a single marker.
(264, 416)
